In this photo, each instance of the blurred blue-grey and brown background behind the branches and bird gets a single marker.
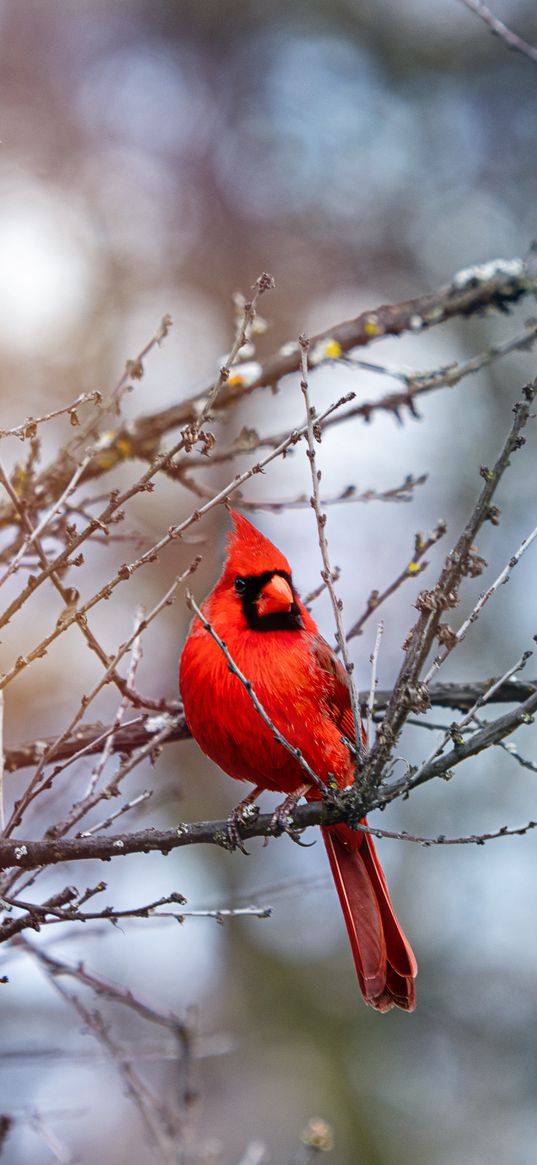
(157, 158)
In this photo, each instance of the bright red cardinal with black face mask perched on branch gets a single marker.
(303, 688)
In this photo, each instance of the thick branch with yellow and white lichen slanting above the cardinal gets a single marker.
(493, 286)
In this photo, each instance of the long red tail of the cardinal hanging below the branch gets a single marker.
(384, 958)
